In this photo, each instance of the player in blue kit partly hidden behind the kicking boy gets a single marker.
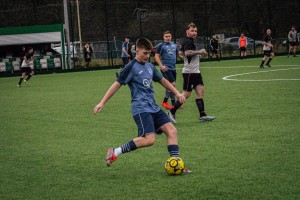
(165, 57)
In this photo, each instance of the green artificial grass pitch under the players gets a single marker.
(52, 147)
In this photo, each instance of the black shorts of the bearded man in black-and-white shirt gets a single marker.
(190, 81)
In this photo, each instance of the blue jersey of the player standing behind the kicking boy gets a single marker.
(168, 52)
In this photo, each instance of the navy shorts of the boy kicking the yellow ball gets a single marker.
(150, 122)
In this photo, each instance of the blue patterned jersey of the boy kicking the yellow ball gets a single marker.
(139, 78)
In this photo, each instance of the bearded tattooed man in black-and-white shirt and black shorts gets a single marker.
(192, 78)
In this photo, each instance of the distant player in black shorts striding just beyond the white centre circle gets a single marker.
(267, 48)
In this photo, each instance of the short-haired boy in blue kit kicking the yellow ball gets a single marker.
(148, 116)
